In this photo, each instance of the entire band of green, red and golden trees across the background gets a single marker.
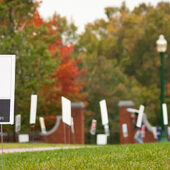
(113, 59)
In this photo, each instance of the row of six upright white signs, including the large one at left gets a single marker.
(7, 88)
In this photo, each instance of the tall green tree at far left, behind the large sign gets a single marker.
(33, 60)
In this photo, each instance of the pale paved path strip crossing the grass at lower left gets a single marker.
(41, 149)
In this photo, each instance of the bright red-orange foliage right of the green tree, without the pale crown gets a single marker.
(65, 78)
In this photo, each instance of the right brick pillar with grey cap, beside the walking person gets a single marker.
(125, 118)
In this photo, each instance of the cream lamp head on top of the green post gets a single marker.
(161, 44)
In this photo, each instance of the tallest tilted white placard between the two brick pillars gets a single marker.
(104, 113)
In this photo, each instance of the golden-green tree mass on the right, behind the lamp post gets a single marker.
(120, 55)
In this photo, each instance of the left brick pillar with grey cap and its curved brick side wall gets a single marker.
(77, 112)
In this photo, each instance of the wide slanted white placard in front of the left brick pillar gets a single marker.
(66, 110)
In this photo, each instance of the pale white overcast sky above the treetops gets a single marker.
(82, 12)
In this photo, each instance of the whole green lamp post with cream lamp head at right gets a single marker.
(161, 48)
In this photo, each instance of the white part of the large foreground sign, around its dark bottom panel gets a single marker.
(7, 83)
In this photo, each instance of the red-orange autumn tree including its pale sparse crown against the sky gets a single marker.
(66, 77)
